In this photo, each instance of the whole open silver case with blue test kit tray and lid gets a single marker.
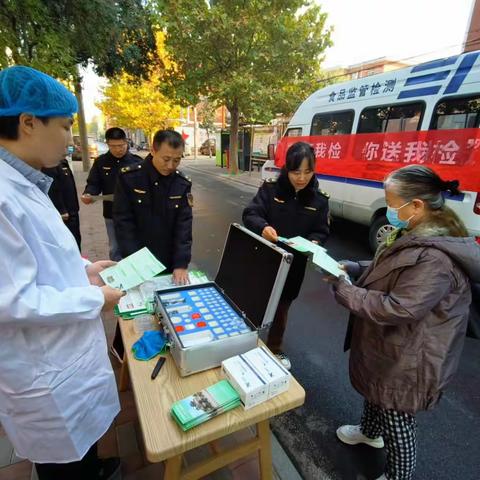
(210, 322)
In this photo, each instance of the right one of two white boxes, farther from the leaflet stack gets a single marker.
(269, 369)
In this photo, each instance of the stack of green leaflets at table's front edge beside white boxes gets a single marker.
(204, 405)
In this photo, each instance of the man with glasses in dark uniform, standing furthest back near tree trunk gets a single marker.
(103, 176)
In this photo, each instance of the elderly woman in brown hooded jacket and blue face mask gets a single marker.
(409, 314)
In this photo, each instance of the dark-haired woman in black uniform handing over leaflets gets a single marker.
(291, 205)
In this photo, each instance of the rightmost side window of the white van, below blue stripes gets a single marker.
(453, 113)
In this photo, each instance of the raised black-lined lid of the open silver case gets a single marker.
(252, 274)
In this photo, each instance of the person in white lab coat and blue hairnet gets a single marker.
(58, 393)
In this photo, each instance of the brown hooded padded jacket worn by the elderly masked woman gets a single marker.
(409, 314)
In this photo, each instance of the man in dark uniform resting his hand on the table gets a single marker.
(152, 208)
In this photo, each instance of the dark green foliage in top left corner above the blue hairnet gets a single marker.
(57, 35)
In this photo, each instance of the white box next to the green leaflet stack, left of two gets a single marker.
(252, 389)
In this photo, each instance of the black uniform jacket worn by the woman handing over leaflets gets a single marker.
(291, 214)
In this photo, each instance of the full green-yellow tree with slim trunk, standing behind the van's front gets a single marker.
(258, 58)
